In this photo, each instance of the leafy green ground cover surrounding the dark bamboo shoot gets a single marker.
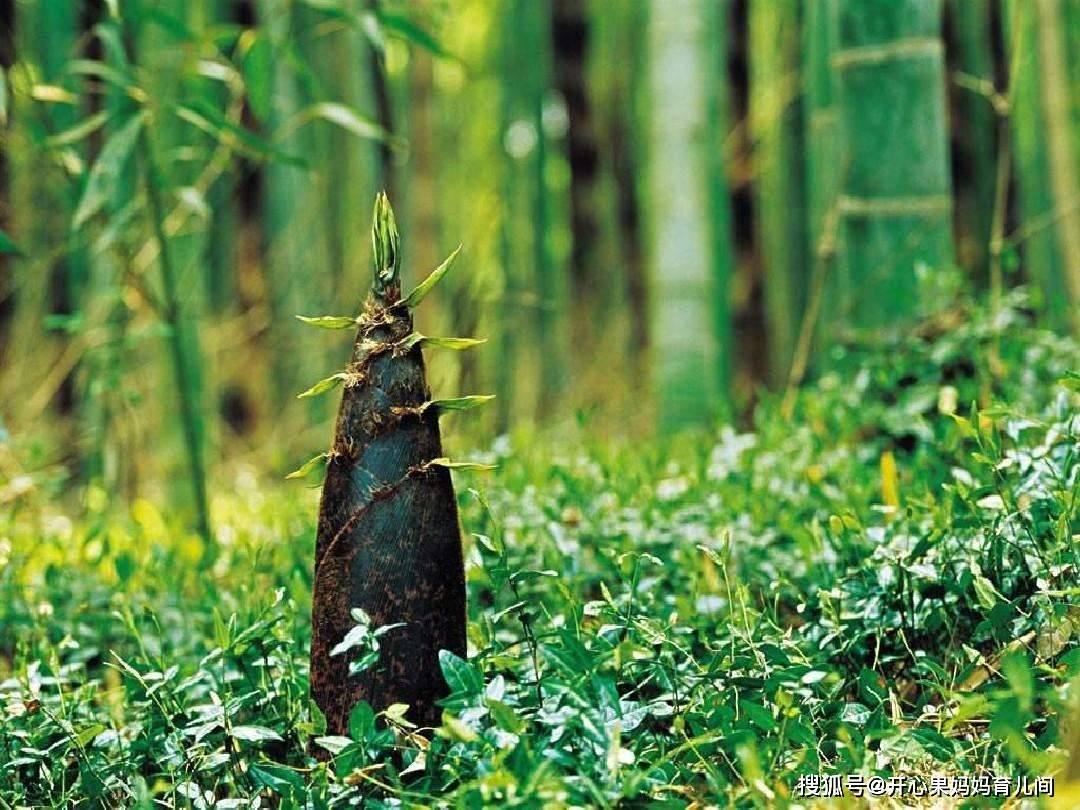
(883, 583)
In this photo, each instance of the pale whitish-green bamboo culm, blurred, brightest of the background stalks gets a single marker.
(686, 352)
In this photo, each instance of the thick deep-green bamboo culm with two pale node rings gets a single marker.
(896, 200)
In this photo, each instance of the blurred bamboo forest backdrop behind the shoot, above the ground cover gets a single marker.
(668, 209)
